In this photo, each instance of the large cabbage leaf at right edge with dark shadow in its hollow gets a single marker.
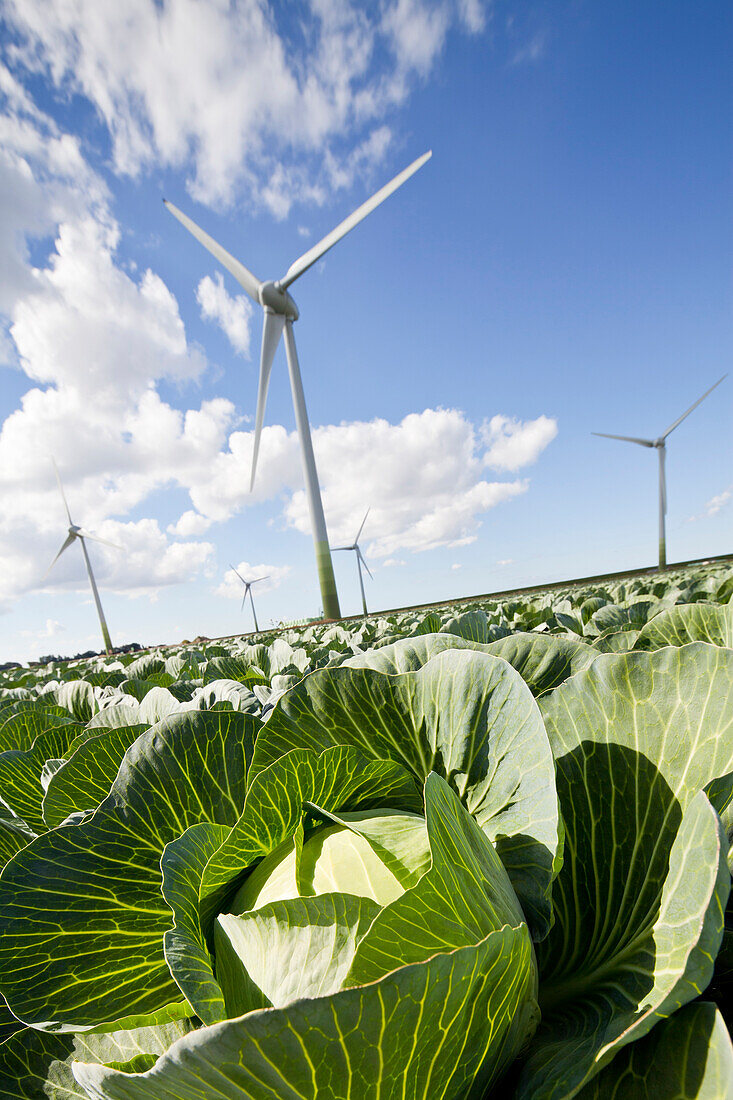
(636, 738)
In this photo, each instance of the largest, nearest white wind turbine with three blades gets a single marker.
(280, 313)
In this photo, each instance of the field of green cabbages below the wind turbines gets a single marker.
(471, 853)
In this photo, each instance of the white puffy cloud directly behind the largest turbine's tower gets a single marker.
(422, 479)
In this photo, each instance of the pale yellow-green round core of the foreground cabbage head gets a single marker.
(337, 860)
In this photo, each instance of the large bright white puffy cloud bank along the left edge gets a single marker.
(95, 342)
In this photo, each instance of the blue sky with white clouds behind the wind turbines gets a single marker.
(562, 266)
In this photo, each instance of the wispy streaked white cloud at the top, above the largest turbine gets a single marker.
(225, 90)
